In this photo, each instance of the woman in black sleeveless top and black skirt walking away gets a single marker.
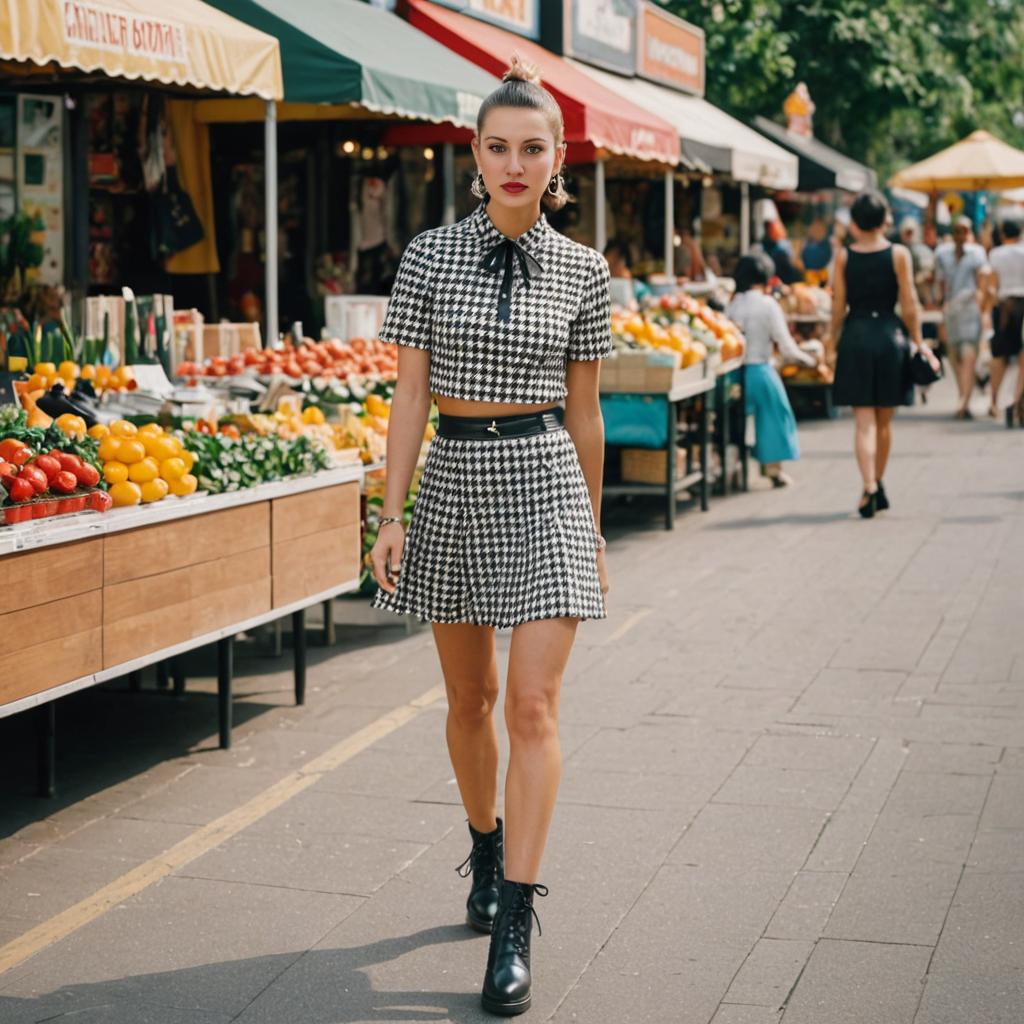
(873, 361)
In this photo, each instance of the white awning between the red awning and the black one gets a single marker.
(708, 135)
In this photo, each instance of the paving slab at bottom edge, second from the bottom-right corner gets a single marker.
(858, 984)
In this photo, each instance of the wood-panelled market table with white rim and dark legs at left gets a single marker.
(95, 598)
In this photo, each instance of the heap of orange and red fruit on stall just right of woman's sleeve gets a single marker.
(678, 324)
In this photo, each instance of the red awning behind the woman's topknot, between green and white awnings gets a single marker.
(596, 118)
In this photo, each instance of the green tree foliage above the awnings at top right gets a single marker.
(893, 80)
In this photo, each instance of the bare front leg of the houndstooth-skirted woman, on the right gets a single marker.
(537, 661)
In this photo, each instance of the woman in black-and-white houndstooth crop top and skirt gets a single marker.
(505, 322)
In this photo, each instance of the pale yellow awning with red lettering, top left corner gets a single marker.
(188, 45)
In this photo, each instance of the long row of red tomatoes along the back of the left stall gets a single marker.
(322, 360)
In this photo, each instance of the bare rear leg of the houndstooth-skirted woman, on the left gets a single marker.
(471, 668)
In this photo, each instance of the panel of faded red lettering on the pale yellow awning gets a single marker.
(103, 28)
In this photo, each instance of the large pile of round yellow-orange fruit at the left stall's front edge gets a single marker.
(143, 465)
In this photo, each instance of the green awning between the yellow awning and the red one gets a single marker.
(347, 52)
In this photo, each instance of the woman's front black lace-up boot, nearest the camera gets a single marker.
(507, 984)
